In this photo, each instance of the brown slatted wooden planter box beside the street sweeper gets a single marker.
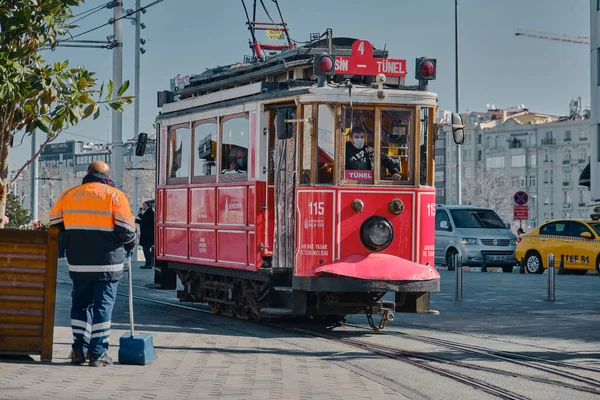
(28, 264)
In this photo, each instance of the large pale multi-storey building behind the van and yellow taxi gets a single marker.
(509, 151)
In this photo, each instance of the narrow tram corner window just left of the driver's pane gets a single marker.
(326, 144)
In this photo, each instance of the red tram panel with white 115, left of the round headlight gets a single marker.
(315, 244)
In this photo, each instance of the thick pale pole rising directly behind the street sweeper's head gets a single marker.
(117, 132)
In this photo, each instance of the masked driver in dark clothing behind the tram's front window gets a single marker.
(360, 157)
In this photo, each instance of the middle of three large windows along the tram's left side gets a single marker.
(205, 144)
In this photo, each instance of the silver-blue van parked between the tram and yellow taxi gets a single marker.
(477, 234)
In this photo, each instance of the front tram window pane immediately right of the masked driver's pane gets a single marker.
(395, 145)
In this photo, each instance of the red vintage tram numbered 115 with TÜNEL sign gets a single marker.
(260, 210)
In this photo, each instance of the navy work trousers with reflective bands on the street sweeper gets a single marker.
(91, 312)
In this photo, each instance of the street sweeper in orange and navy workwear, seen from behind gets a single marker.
(97, 224)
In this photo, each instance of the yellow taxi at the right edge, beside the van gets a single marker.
(578, 241)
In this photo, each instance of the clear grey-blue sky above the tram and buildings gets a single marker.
(496, 67)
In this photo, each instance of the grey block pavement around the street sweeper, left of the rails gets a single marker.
(194, 361)
